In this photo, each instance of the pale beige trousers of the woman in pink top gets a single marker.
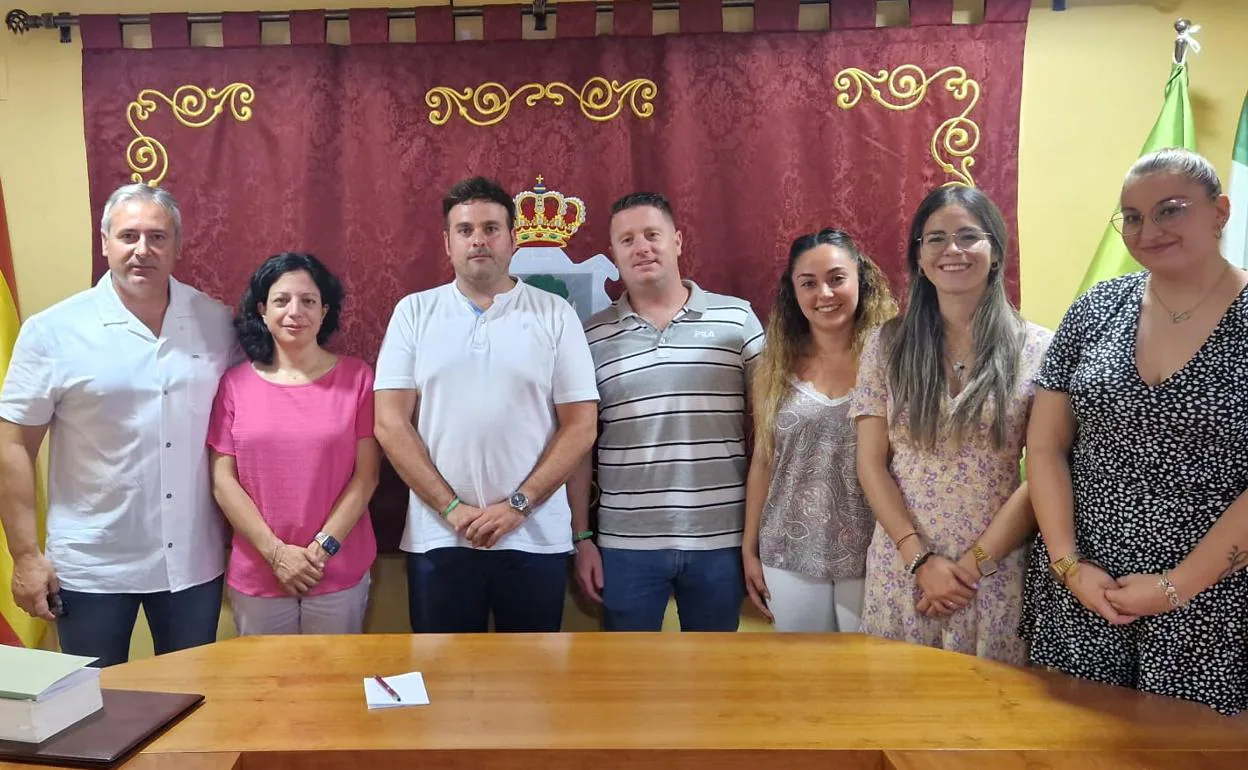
(339, 613)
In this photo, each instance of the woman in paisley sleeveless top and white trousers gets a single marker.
(807, 524)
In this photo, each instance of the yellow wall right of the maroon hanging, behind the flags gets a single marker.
(1093, 87)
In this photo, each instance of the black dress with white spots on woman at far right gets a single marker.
(1153, 469)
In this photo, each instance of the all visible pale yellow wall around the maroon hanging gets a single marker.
(1093, 85)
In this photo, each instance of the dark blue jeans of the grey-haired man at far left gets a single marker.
(100, 626)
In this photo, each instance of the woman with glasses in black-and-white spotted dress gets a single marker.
(1139, 457)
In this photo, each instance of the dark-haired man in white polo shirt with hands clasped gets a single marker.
(486, 402)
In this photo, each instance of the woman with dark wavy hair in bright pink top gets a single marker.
(294, 459)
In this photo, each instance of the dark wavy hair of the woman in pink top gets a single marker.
(254, 336)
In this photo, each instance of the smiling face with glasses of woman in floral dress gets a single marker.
(955, 251)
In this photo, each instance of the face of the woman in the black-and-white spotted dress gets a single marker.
(1170, 224)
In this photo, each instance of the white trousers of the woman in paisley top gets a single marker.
(802, 603)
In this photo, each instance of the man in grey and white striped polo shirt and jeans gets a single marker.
(673, 365)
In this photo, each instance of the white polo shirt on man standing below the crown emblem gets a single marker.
(489, 385)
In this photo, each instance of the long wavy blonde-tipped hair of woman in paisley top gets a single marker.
(789, 331)
